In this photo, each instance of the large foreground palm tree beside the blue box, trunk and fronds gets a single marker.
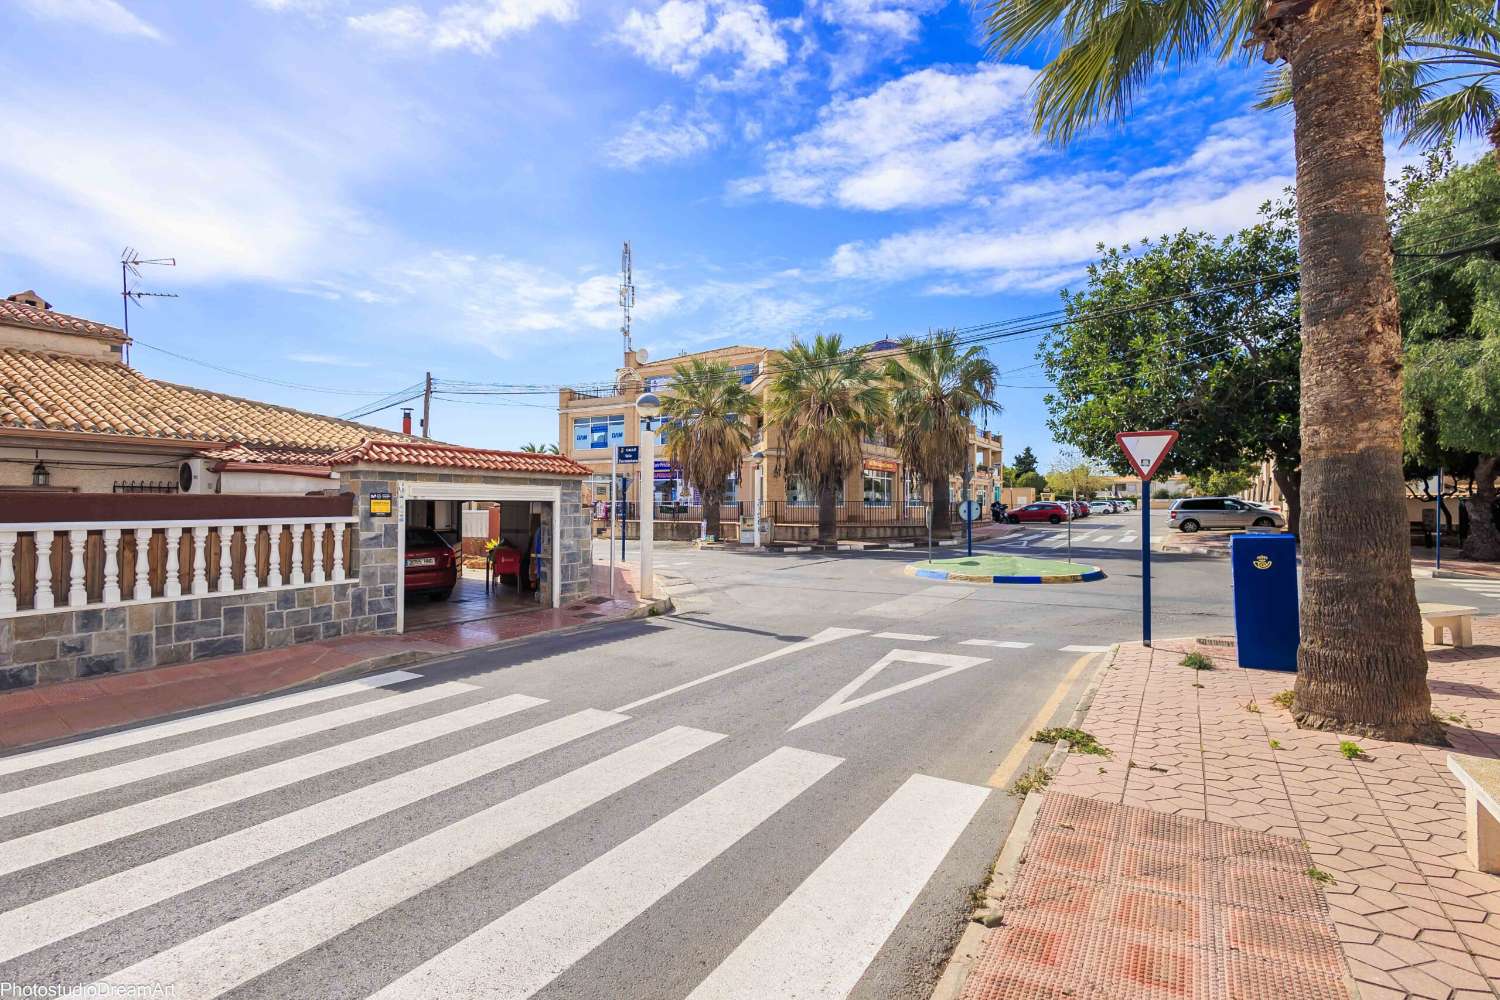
(1361, 662)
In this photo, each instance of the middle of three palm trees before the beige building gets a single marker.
(824, 401)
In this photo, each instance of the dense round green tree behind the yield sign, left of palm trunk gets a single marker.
(1219, 364)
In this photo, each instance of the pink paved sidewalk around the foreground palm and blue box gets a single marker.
(1222, 852)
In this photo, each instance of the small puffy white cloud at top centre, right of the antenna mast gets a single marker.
(683, 35)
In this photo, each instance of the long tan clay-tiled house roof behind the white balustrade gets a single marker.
(41, 391)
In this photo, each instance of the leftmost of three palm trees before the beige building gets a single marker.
(707, 433)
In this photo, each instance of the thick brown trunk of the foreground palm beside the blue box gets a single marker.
(1361, 662)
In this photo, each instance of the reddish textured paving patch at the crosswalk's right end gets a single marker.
(1120, 903)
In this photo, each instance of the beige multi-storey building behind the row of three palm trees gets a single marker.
(590, 425)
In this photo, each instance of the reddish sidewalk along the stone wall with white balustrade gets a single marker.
(58, 711)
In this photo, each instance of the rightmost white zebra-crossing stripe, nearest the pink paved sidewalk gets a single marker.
(823, 938)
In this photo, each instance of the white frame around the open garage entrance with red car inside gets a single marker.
(542, 507)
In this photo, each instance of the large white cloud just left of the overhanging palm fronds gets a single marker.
(928, 139)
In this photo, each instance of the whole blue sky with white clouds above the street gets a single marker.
(359, 191)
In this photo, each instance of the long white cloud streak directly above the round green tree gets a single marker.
(1040, 233)
